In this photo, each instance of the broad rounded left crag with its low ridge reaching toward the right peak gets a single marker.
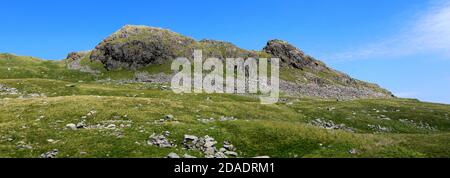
(133, 47)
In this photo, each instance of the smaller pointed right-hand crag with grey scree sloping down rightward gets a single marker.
(318, 79)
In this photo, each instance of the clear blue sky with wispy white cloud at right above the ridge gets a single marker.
(403, 45)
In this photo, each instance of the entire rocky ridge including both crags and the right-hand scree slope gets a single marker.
(135, 47)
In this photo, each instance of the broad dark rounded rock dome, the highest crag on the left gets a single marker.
(133, 47)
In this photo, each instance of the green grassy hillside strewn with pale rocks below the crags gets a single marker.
(34, 120)
